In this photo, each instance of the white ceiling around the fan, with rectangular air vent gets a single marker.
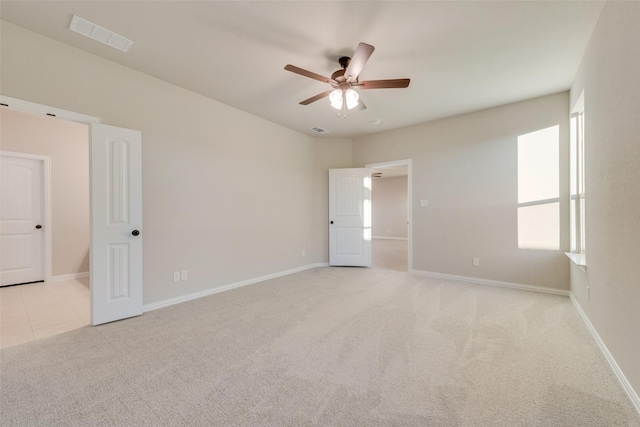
(460, 56)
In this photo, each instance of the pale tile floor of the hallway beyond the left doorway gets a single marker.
(38, 310)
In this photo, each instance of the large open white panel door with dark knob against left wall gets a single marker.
(116, 223)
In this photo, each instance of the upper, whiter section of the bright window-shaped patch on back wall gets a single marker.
(538, 165)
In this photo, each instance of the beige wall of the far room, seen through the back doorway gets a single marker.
(389, 207)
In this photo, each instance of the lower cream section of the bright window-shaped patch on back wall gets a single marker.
(539, 226)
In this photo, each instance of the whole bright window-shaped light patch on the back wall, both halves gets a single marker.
(539, 189)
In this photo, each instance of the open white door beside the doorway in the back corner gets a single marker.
(350, 217)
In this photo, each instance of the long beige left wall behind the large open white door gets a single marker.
(226, 195)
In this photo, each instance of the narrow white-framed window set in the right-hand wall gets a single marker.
(577, 181)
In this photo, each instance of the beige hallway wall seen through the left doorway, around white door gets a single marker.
(67, 144)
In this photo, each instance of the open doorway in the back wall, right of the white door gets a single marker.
(391, 224)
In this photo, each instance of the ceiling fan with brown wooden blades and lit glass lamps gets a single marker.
(342, 95)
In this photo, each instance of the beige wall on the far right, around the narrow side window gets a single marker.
(610, 77)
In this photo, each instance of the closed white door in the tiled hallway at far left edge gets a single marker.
(21, 220)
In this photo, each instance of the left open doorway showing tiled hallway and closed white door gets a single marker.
(59, 299)
